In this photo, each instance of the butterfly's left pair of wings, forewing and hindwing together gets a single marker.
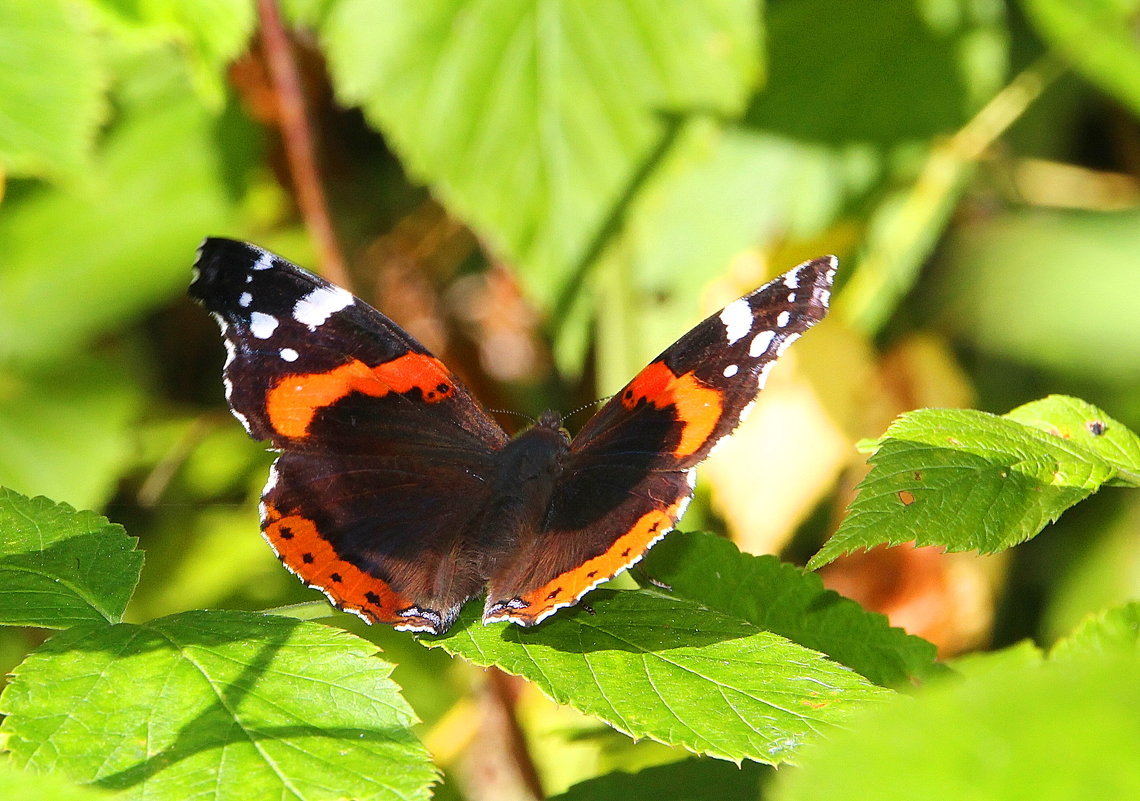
(386, 456)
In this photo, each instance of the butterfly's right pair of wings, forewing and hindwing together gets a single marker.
(631, 470)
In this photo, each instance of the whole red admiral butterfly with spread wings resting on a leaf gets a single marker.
(401, 498)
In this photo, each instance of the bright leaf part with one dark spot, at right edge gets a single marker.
(1084, 424)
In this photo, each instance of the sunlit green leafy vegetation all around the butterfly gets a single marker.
(548, 193)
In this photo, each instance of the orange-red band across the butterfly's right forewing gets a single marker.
(699, 407)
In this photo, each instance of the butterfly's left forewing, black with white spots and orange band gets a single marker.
(298, 348)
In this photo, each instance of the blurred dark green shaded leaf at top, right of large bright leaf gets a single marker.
(955, 55)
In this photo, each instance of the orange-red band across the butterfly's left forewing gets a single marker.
(296, 399)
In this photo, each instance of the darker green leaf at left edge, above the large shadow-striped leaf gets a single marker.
(60, 567)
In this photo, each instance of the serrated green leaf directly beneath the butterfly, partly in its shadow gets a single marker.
(674, 672)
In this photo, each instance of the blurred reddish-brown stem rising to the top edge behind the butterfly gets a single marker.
(297, 135)
